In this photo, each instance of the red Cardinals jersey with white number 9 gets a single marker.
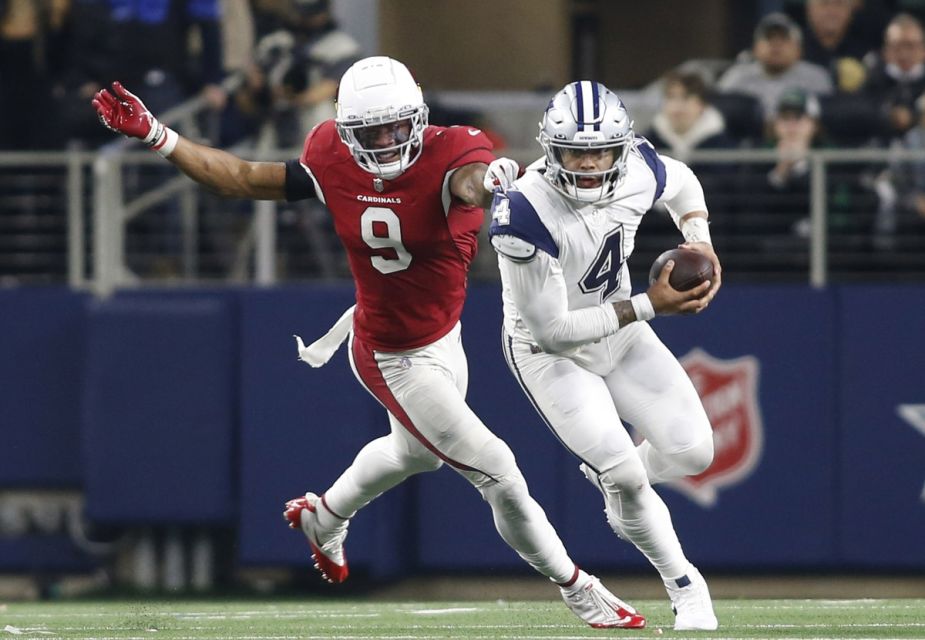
(409, 245)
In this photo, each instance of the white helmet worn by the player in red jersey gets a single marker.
(378, 91)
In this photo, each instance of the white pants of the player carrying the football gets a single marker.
(631, 376)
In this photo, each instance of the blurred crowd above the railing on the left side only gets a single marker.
(58, 53)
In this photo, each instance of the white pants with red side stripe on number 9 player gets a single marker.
(431, 424)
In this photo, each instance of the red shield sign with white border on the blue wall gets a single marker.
(729, 392)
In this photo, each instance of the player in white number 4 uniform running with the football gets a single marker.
(579, 344)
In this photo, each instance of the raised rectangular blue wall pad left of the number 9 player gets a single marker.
(159, 410)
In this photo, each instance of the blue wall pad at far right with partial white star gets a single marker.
(881, 447)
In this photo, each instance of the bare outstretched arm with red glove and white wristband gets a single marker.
(219, 171)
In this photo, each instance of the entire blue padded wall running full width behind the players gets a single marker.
(196, 401)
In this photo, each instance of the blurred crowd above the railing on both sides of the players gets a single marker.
(864, 58)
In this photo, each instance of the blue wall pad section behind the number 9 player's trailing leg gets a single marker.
(301, 427)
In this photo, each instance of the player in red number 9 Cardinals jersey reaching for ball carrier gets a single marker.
(407, 201)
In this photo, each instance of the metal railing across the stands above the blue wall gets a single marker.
(103, 251)
